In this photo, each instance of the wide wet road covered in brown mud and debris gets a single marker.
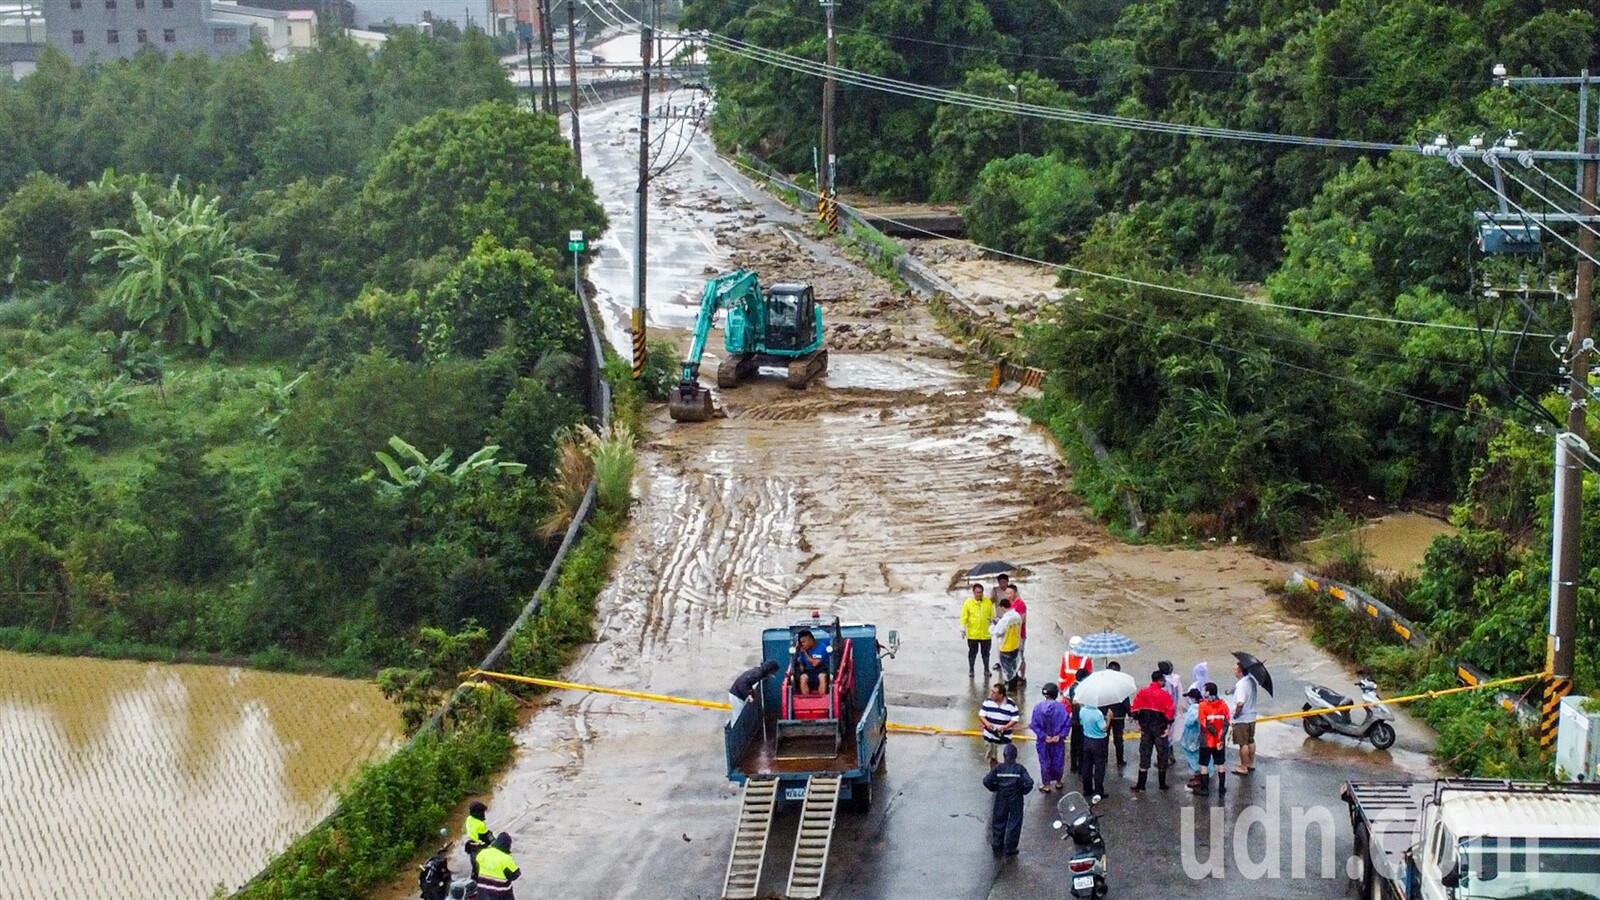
(868, 497)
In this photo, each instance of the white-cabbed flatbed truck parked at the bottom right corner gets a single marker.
(1476, 840)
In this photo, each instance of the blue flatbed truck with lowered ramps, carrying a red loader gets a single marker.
(815, 741)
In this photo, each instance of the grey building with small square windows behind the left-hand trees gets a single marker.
(90, 31)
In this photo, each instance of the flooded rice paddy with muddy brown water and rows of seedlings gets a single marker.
(172, 779)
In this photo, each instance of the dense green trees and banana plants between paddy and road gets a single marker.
(268, 388)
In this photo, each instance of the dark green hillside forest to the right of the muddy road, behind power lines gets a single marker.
(1290, 331)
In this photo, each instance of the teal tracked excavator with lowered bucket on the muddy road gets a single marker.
(778, 327)
